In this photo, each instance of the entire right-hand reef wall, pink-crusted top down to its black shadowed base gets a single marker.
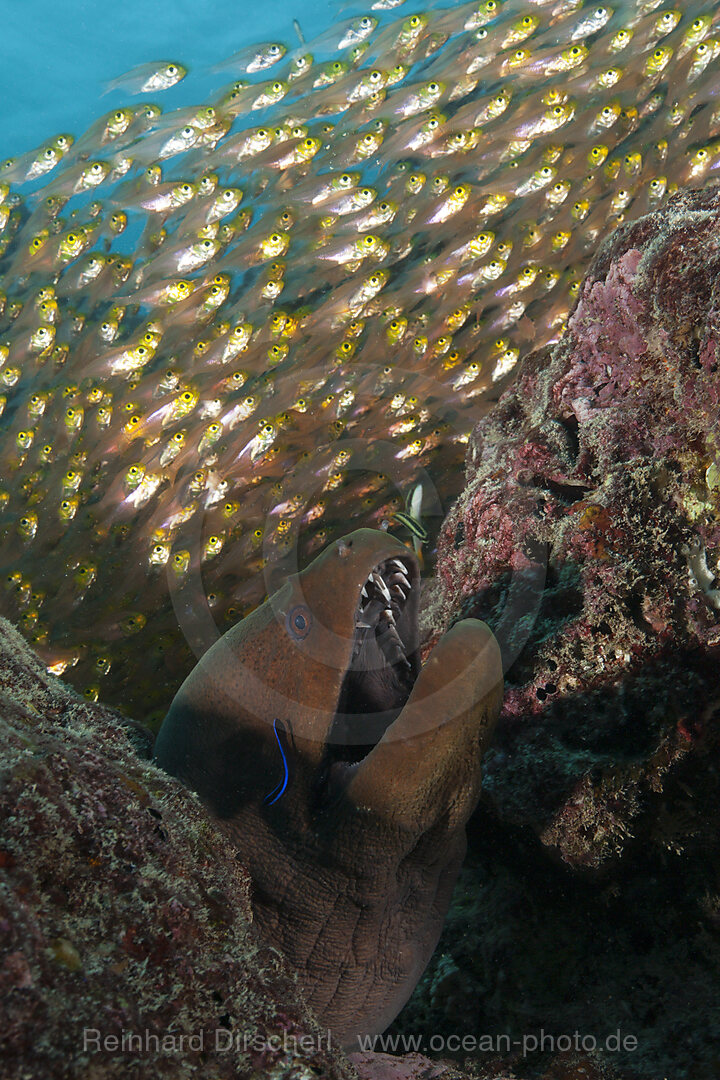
(589, 538)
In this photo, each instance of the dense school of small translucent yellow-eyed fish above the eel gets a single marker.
(230, 333)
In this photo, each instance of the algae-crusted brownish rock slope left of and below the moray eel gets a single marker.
(127, 946)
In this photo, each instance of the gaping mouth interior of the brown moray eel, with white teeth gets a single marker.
(386, 659)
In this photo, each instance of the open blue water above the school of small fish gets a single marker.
(59, 55)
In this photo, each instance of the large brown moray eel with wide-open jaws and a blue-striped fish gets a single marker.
(344, 771)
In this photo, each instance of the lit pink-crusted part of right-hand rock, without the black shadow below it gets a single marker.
(589, 536)
